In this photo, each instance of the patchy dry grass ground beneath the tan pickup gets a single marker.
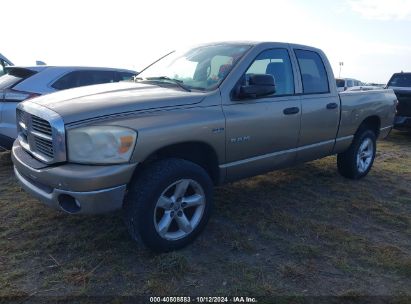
(300, 231)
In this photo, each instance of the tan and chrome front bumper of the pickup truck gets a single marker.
(73, 188)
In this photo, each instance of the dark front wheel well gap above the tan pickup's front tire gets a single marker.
(199, 153)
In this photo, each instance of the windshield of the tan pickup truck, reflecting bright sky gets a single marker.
(202, 68)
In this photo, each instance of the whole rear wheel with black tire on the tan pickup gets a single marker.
(356, 162)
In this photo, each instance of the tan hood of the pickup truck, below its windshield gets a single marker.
(114, 98)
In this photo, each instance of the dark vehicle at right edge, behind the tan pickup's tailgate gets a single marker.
(401, 84)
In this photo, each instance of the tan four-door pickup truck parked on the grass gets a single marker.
(205, 116)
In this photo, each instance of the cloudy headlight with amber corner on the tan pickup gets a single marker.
(100, 144)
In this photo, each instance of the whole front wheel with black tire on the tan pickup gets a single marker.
(168, 204)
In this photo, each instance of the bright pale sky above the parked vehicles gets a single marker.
(370, 37)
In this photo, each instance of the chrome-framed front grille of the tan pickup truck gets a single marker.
(41, 132)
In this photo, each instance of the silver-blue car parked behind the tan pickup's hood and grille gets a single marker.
(22, 83)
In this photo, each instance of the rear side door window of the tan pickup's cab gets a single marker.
(313, 73)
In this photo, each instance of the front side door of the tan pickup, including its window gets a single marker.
(262, 133)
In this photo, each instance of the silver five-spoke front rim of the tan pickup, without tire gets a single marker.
(179, 209)
